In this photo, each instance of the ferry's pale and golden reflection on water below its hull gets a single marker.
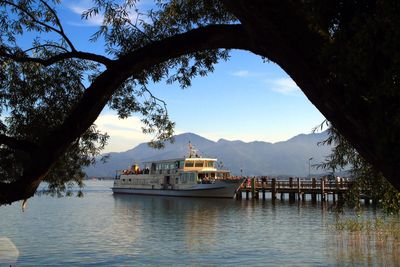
(194, 221)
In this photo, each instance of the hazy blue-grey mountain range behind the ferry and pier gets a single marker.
(286, 158)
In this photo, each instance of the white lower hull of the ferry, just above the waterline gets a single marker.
(219, 189)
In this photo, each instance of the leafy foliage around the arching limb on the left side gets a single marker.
(41, 86)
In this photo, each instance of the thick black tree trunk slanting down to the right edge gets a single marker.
(281, 28)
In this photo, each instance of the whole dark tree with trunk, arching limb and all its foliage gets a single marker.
(343, 55)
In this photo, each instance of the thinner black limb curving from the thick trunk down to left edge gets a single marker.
(100, 91)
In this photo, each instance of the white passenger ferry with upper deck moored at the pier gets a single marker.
(191, 176)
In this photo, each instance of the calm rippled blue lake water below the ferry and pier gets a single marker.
(103, 229)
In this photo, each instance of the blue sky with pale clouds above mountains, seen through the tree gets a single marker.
(243, 99)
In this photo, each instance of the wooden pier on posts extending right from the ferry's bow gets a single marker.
(294, 188)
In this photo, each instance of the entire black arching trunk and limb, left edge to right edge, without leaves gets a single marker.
(275, 29)
